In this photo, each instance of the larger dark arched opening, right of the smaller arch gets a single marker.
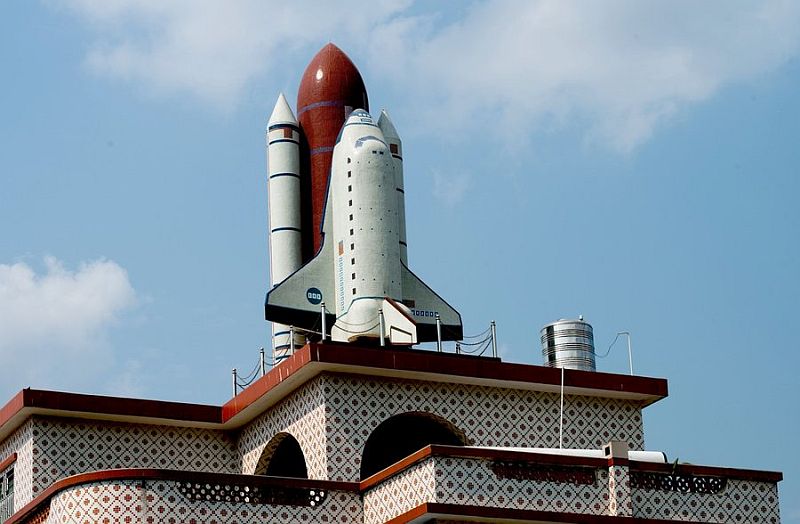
(401, 435)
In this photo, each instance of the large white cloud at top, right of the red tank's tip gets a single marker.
(620, 68)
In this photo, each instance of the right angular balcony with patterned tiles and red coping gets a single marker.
(443, 482)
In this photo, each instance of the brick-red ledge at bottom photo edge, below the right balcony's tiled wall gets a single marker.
(523, 515)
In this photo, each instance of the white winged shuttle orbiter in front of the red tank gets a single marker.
(360, 268)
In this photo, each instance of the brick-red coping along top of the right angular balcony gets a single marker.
(435, 450)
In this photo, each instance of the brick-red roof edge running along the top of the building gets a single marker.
(314, 359)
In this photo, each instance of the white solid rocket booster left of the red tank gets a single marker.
(283, 145)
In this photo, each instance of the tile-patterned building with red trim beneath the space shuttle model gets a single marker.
(349, 434)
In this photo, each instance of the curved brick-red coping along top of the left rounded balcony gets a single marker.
(174, 475)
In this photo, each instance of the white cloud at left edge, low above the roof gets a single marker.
(53, 324)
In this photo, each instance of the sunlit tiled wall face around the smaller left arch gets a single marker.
(302, 415)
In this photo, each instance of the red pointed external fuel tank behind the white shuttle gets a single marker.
(330, 89)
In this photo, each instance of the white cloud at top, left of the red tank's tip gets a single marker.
(211, 49)
